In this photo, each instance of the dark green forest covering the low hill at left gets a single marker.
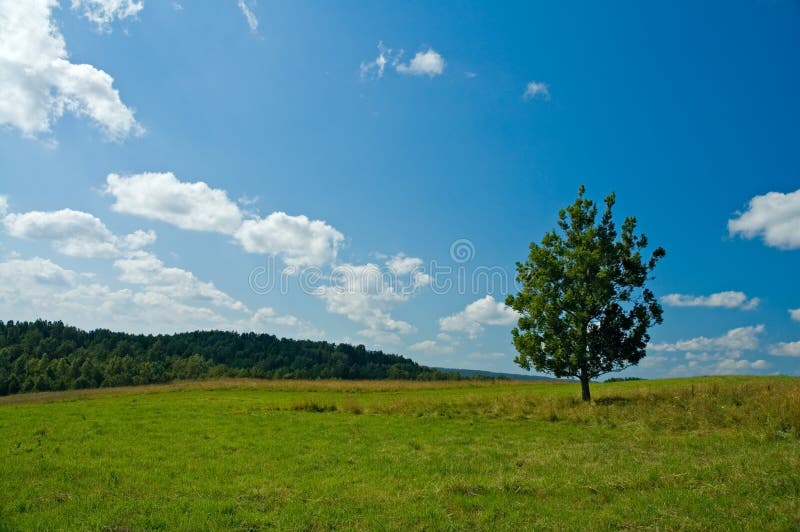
(43, 355)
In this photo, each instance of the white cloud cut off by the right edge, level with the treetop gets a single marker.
(775, 217)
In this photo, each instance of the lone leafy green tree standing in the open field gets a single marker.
(584, 307)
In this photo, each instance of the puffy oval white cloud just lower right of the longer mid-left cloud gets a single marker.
(296, 239)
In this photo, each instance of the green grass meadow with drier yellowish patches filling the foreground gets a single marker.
(720, 453)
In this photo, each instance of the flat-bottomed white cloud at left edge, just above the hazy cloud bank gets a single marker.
(74, 233)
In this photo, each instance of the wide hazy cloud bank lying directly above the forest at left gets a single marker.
(160, 299)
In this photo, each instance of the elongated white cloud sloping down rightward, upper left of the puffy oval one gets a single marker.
(161, 196)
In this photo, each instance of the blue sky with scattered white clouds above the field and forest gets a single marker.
(159, 161)
